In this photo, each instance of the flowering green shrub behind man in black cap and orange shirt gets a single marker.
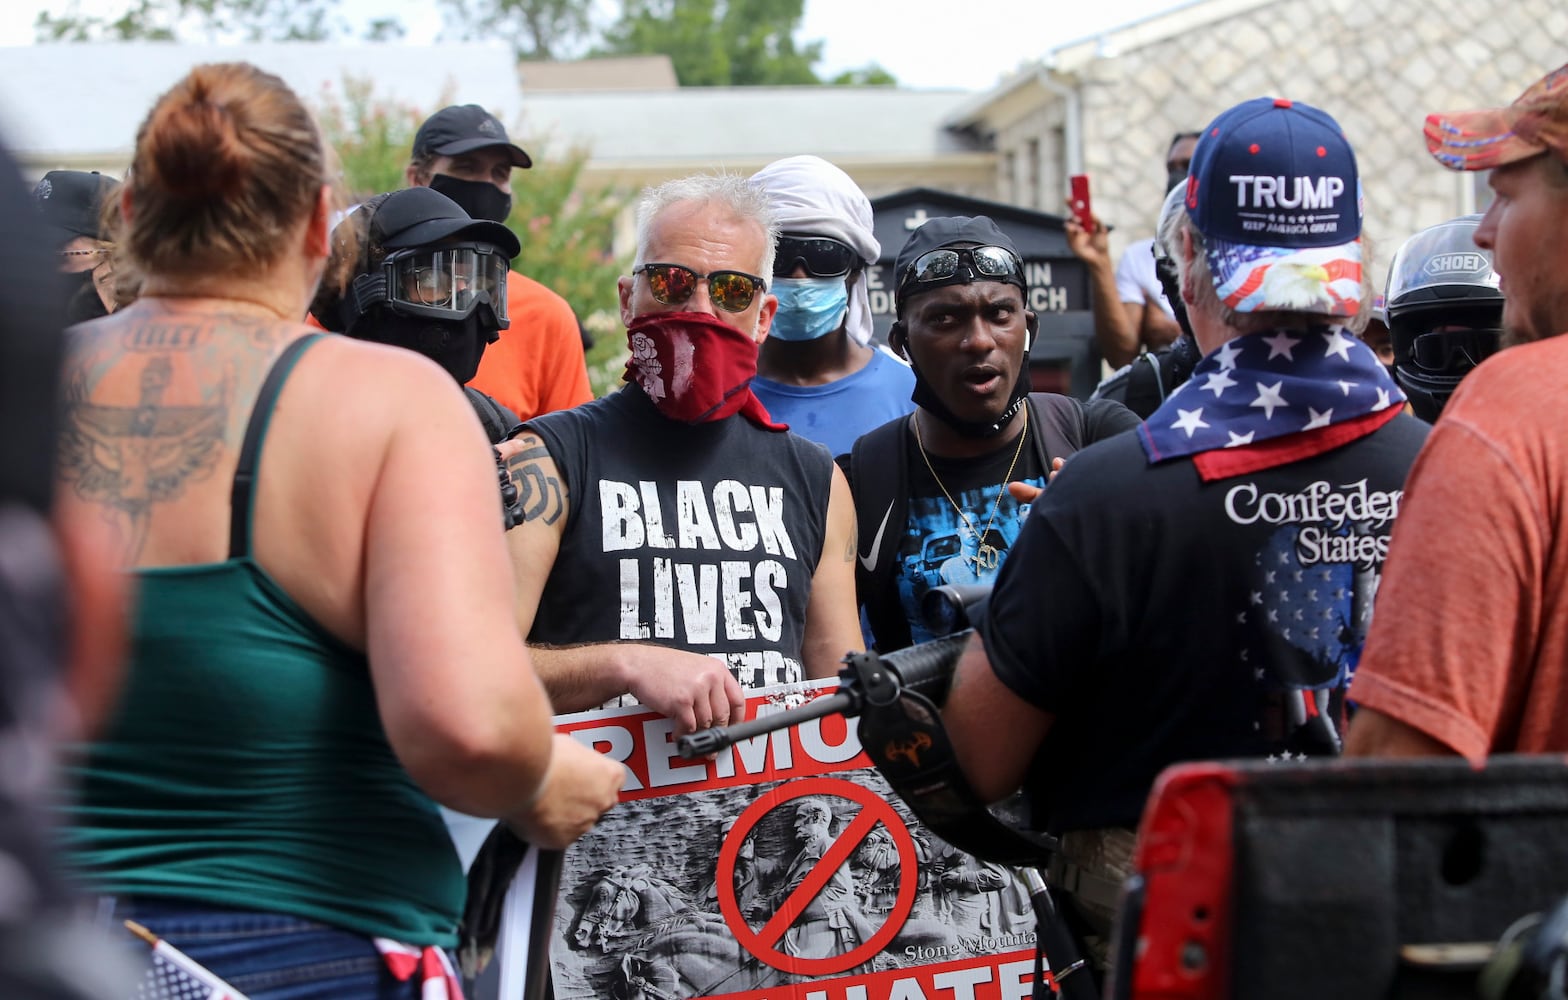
(565, 226)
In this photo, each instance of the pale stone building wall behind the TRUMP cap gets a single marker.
(1379, 67)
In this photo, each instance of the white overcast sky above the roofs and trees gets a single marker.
(924, 43)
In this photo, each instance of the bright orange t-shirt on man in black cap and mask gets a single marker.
(539, 363)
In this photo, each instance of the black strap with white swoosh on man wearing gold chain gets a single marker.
(879, 473)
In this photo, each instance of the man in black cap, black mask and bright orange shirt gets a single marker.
(463, 153)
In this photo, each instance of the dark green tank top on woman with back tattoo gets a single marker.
(247, 766)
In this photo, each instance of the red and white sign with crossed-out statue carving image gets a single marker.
(783, 869)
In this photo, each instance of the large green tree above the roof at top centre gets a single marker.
(719, 43)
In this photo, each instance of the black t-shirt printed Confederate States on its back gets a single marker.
(1163, 620)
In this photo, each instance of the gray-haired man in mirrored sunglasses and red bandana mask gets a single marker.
(678, 545)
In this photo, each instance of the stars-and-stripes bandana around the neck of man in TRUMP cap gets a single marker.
(1321, 385)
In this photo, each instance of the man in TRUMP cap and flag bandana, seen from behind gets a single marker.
(1202, 589)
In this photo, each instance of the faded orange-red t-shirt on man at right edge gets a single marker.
(1470, 640)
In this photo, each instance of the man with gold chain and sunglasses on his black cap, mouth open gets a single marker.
(935, 484)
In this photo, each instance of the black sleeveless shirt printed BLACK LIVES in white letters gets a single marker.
(700, 538)
